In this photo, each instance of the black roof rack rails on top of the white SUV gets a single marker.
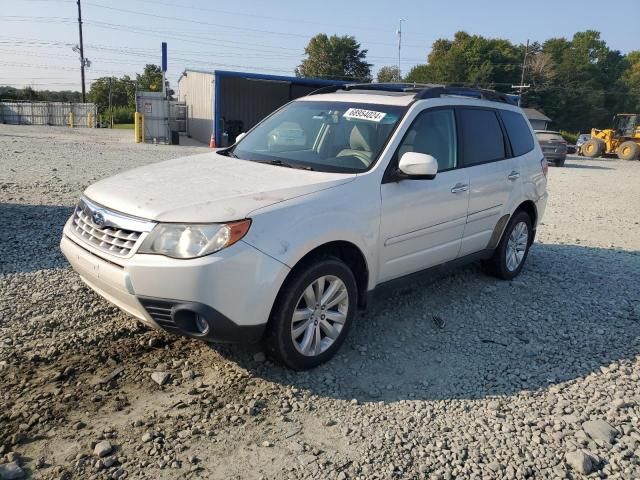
(422, 91)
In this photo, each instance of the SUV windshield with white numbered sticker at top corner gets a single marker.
(325, 136)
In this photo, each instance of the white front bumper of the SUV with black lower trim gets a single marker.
(232, 290)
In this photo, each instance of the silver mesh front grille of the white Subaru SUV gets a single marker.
(108, 238)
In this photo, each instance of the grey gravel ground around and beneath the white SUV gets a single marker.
(534, 378)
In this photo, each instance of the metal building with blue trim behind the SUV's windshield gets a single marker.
(224, 103)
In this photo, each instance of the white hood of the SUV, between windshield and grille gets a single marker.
(206, 188)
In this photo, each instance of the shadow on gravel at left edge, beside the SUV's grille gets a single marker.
(30, 237)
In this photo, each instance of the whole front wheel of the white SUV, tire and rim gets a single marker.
(312, 314)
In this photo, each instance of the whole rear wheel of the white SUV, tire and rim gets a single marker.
(508, 259)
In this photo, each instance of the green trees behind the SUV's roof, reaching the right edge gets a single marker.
(579, 83)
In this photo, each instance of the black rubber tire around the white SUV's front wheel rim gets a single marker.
(278, 337)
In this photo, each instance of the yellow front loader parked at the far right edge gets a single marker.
(622, 140)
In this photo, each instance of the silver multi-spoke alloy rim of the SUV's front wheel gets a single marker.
(320, 315)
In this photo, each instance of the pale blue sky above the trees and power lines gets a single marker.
(121, 36)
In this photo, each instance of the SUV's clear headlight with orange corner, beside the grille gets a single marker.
(191, 241)
